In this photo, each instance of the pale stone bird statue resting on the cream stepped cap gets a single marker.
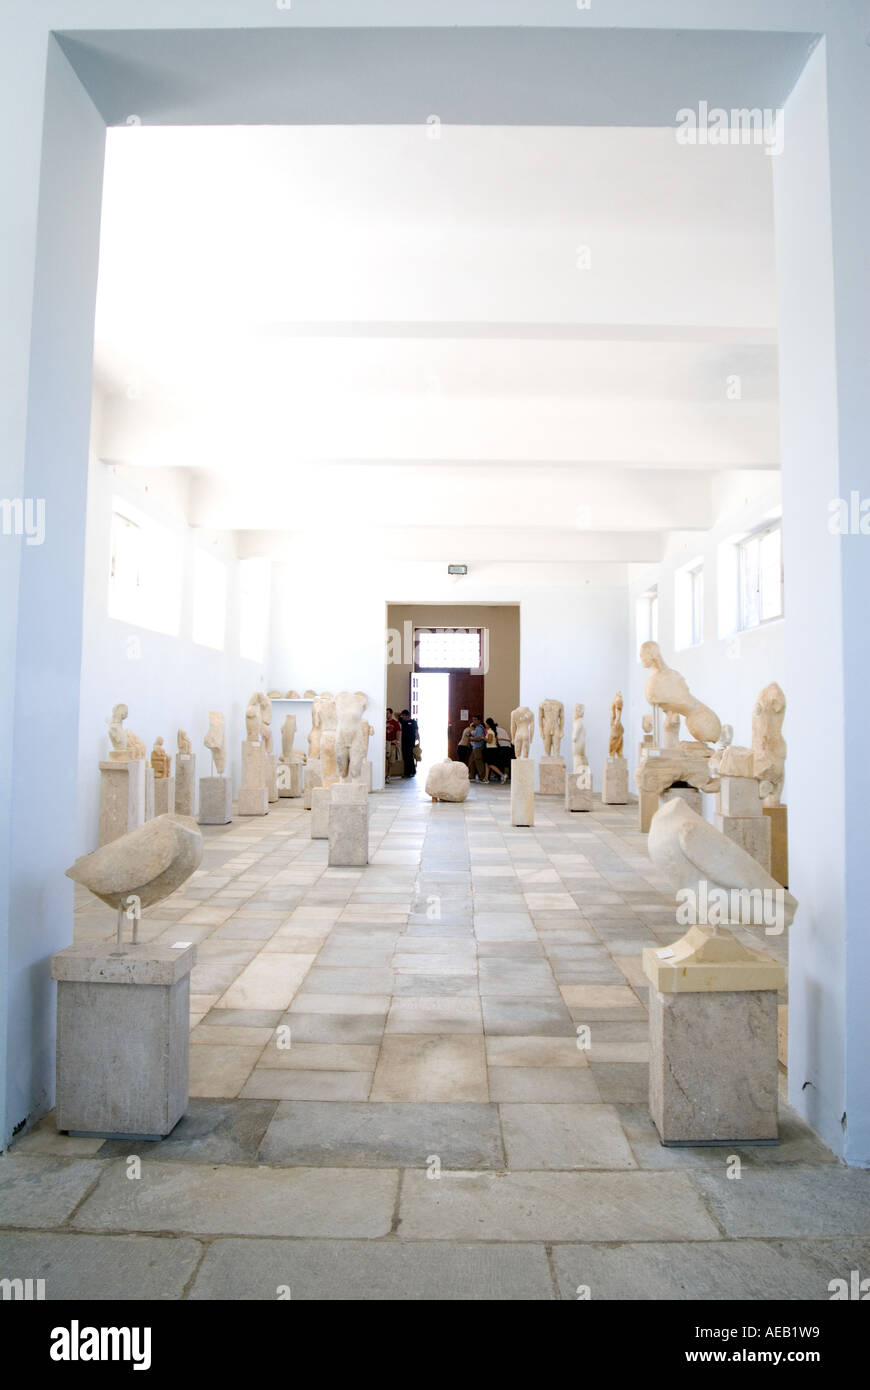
(691, 853)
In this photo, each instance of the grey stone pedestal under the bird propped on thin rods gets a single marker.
(123, 1039)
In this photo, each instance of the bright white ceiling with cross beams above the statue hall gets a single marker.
(337, 311)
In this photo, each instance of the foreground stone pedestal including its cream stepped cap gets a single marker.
(712, 1040)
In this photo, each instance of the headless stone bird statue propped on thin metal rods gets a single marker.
(149, 862)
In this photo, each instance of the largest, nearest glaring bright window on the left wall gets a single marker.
(145, 572)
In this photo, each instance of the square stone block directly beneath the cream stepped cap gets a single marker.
(714, 1067)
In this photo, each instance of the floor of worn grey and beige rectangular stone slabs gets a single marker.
(433, 1131)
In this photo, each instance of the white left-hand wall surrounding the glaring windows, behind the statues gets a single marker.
(169, 683)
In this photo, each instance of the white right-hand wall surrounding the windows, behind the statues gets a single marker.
(725, 672)
